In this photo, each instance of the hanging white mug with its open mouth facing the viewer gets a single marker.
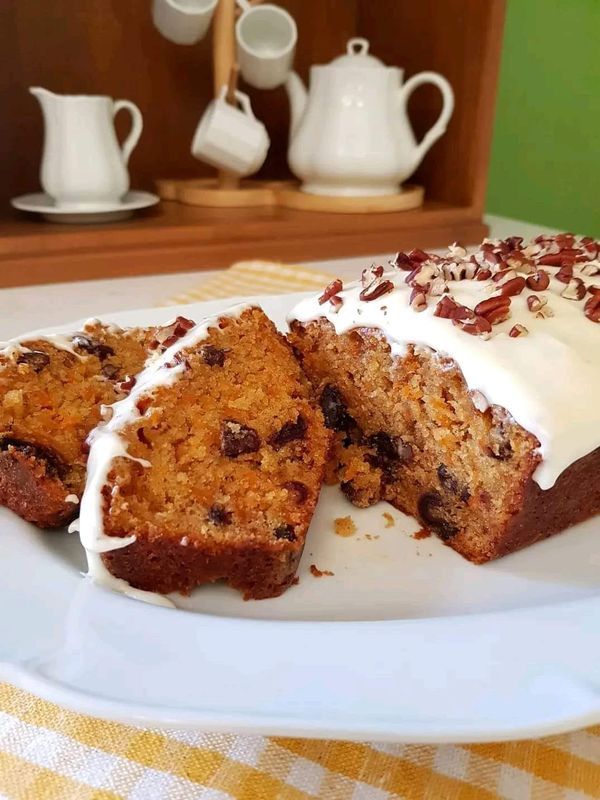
(266, 42)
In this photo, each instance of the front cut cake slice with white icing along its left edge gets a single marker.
(211, 468)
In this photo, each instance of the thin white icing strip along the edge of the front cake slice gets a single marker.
(107, 445)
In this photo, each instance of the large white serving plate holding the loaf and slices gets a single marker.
(406, 641)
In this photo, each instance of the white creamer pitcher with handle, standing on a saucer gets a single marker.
(83, 164)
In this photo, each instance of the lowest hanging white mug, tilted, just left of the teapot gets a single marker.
(231, 138)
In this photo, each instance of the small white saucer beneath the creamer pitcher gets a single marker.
(41, 203)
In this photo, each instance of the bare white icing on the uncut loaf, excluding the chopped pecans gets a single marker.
(549, 380)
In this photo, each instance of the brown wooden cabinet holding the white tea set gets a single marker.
(111, 47)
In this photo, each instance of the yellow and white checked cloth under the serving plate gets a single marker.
(48, 753)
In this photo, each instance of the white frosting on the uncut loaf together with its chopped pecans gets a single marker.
(547, 377)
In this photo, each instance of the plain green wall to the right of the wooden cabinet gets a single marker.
(545, 164)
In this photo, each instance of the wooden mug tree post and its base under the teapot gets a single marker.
(226, 190)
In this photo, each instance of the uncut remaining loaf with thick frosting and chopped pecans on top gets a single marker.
(465, 389)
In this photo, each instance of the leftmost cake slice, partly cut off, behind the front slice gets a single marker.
(51, 390)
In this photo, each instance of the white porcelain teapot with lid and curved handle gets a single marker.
(350, 134)
